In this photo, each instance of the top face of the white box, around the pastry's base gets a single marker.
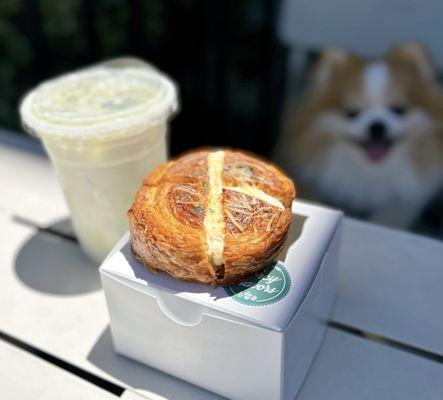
(271, 299)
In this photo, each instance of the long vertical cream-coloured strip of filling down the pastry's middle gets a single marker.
(213, 222)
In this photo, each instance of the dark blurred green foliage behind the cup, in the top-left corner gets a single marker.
(59, 32)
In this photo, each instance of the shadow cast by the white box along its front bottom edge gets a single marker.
(140, 376)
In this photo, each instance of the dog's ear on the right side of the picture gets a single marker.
(417, 57)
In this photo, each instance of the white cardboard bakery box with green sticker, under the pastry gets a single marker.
(255, 340)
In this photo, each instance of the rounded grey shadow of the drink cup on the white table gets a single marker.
(51, 261)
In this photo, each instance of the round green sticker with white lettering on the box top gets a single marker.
(268, 287)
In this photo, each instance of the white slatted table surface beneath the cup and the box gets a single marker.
(390, 286)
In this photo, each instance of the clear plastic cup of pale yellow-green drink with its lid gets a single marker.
(104, 128)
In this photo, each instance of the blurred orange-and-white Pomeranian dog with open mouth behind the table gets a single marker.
(367, 136)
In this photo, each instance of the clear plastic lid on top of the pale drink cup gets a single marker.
(120, 97)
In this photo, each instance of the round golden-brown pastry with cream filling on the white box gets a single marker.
(211, 216)
